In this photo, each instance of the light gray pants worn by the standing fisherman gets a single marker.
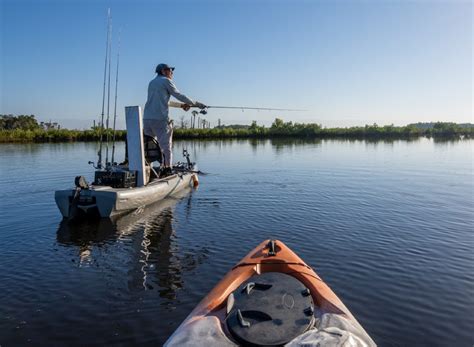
(162, 131)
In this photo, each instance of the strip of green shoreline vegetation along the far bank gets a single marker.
(26, 129)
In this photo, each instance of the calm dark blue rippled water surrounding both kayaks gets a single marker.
(388, 225)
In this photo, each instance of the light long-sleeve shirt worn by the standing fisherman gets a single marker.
(160, 90)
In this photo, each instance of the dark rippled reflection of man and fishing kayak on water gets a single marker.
(140, 247)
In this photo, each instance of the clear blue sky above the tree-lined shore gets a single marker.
(346, 62)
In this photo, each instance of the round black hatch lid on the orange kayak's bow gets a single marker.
(270, 310)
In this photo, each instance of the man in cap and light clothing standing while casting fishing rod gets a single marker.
(156, 121)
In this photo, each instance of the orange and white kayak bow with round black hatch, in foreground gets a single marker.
(270, 298)
